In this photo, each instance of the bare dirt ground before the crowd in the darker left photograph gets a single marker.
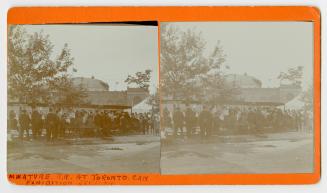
(125, 154)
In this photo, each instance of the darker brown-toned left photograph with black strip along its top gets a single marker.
(83, 98)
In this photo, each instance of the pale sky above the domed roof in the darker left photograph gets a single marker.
(107, 52)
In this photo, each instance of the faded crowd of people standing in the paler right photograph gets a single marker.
(251, 120)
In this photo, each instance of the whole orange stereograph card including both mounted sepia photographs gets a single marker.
(163, 95)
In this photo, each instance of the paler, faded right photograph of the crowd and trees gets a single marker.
(236, 97)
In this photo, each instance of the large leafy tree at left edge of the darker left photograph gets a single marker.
(33, 76)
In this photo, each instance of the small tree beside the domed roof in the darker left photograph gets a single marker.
(142, 79)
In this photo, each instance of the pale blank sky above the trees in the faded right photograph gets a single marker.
(261, 49)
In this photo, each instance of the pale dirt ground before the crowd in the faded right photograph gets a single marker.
(290, 152)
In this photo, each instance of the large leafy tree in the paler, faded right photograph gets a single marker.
(185, 71)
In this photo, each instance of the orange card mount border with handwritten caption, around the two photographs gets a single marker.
(63, 15)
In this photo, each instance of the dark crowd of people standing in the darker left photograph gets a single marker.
(58, 123)
